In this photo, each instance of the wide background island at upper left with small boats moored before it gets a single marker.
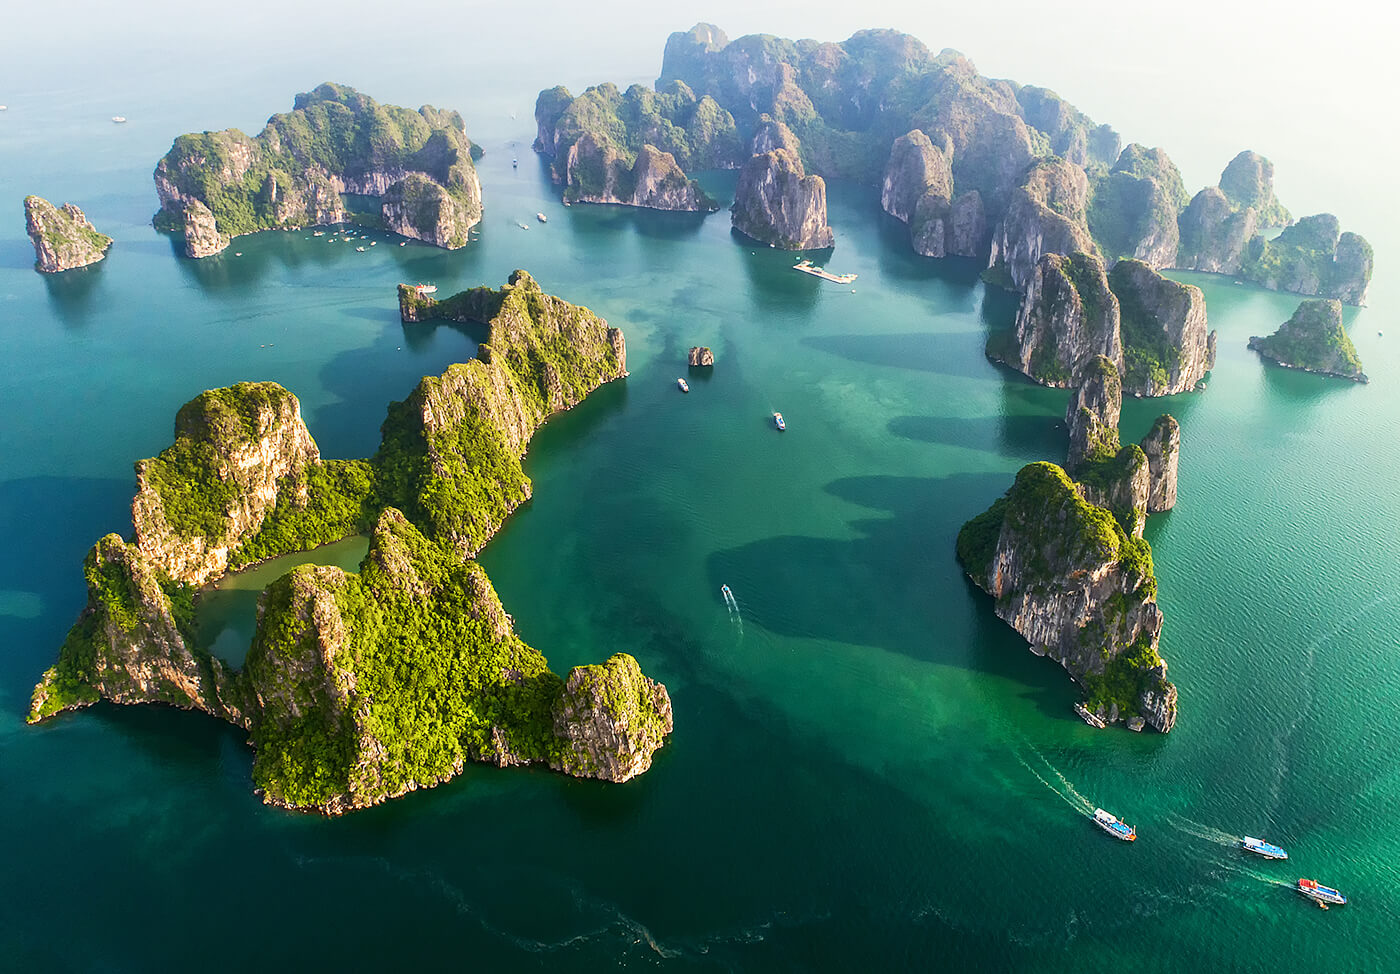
(418, 167)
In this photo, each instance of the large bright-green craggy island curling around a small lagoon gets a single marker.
(363, 686)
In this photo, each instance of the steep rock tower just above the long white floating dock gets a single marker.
(778, 204)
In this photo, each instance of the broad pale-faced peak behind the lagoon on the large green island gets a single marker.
(212, 489)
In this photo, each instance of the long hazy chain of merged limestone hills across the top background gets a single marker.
(974, 166)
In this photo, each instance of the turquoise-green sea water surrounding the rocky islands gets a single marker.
(869, 770)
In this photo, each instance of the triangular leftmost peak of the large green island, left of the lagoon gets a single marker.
(134, 644)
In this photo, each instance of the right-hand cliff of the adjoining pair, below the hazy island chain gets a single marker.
(1167, 348)
